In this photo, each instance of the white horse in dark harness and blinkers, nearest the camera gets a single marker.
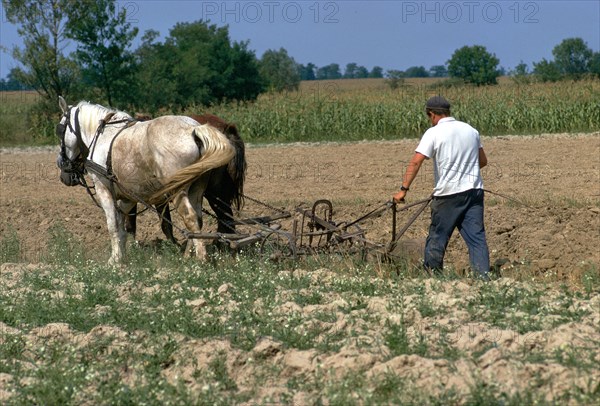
(170, 157)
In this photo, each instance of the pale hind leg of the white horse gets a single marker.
(189, 206)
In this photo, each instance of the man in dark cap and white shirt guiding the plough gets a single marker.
(458, 156)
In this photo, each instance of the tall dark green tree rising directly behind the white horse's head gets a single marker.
(103, 38)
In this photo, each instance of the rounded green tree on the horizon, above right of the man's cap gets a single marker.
(474, 65)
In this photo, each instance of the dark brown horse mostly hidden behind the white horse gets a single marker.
(225, 186)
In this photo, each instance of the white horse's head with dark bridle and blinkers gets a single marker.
(73, 151)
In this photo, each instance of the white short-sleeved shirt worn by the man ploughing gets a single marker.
(454, 147)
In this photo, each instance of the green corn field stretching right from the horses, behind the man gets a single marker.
(349, 111)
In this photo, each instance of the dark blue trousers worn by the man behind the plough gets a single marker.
(463, 211)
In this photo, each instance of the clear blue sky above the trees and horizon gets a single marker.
(390, 34)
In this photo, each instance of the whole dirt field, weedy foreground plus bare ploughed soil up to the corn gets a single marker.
(510, 338)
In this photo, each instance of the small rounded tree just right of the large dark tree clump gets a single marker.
(279, 71)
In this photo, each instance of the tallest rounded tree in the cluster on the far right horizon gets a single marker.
(572, 57)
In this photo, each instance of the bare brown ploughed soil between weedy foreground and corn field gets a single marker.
(556, 178)
